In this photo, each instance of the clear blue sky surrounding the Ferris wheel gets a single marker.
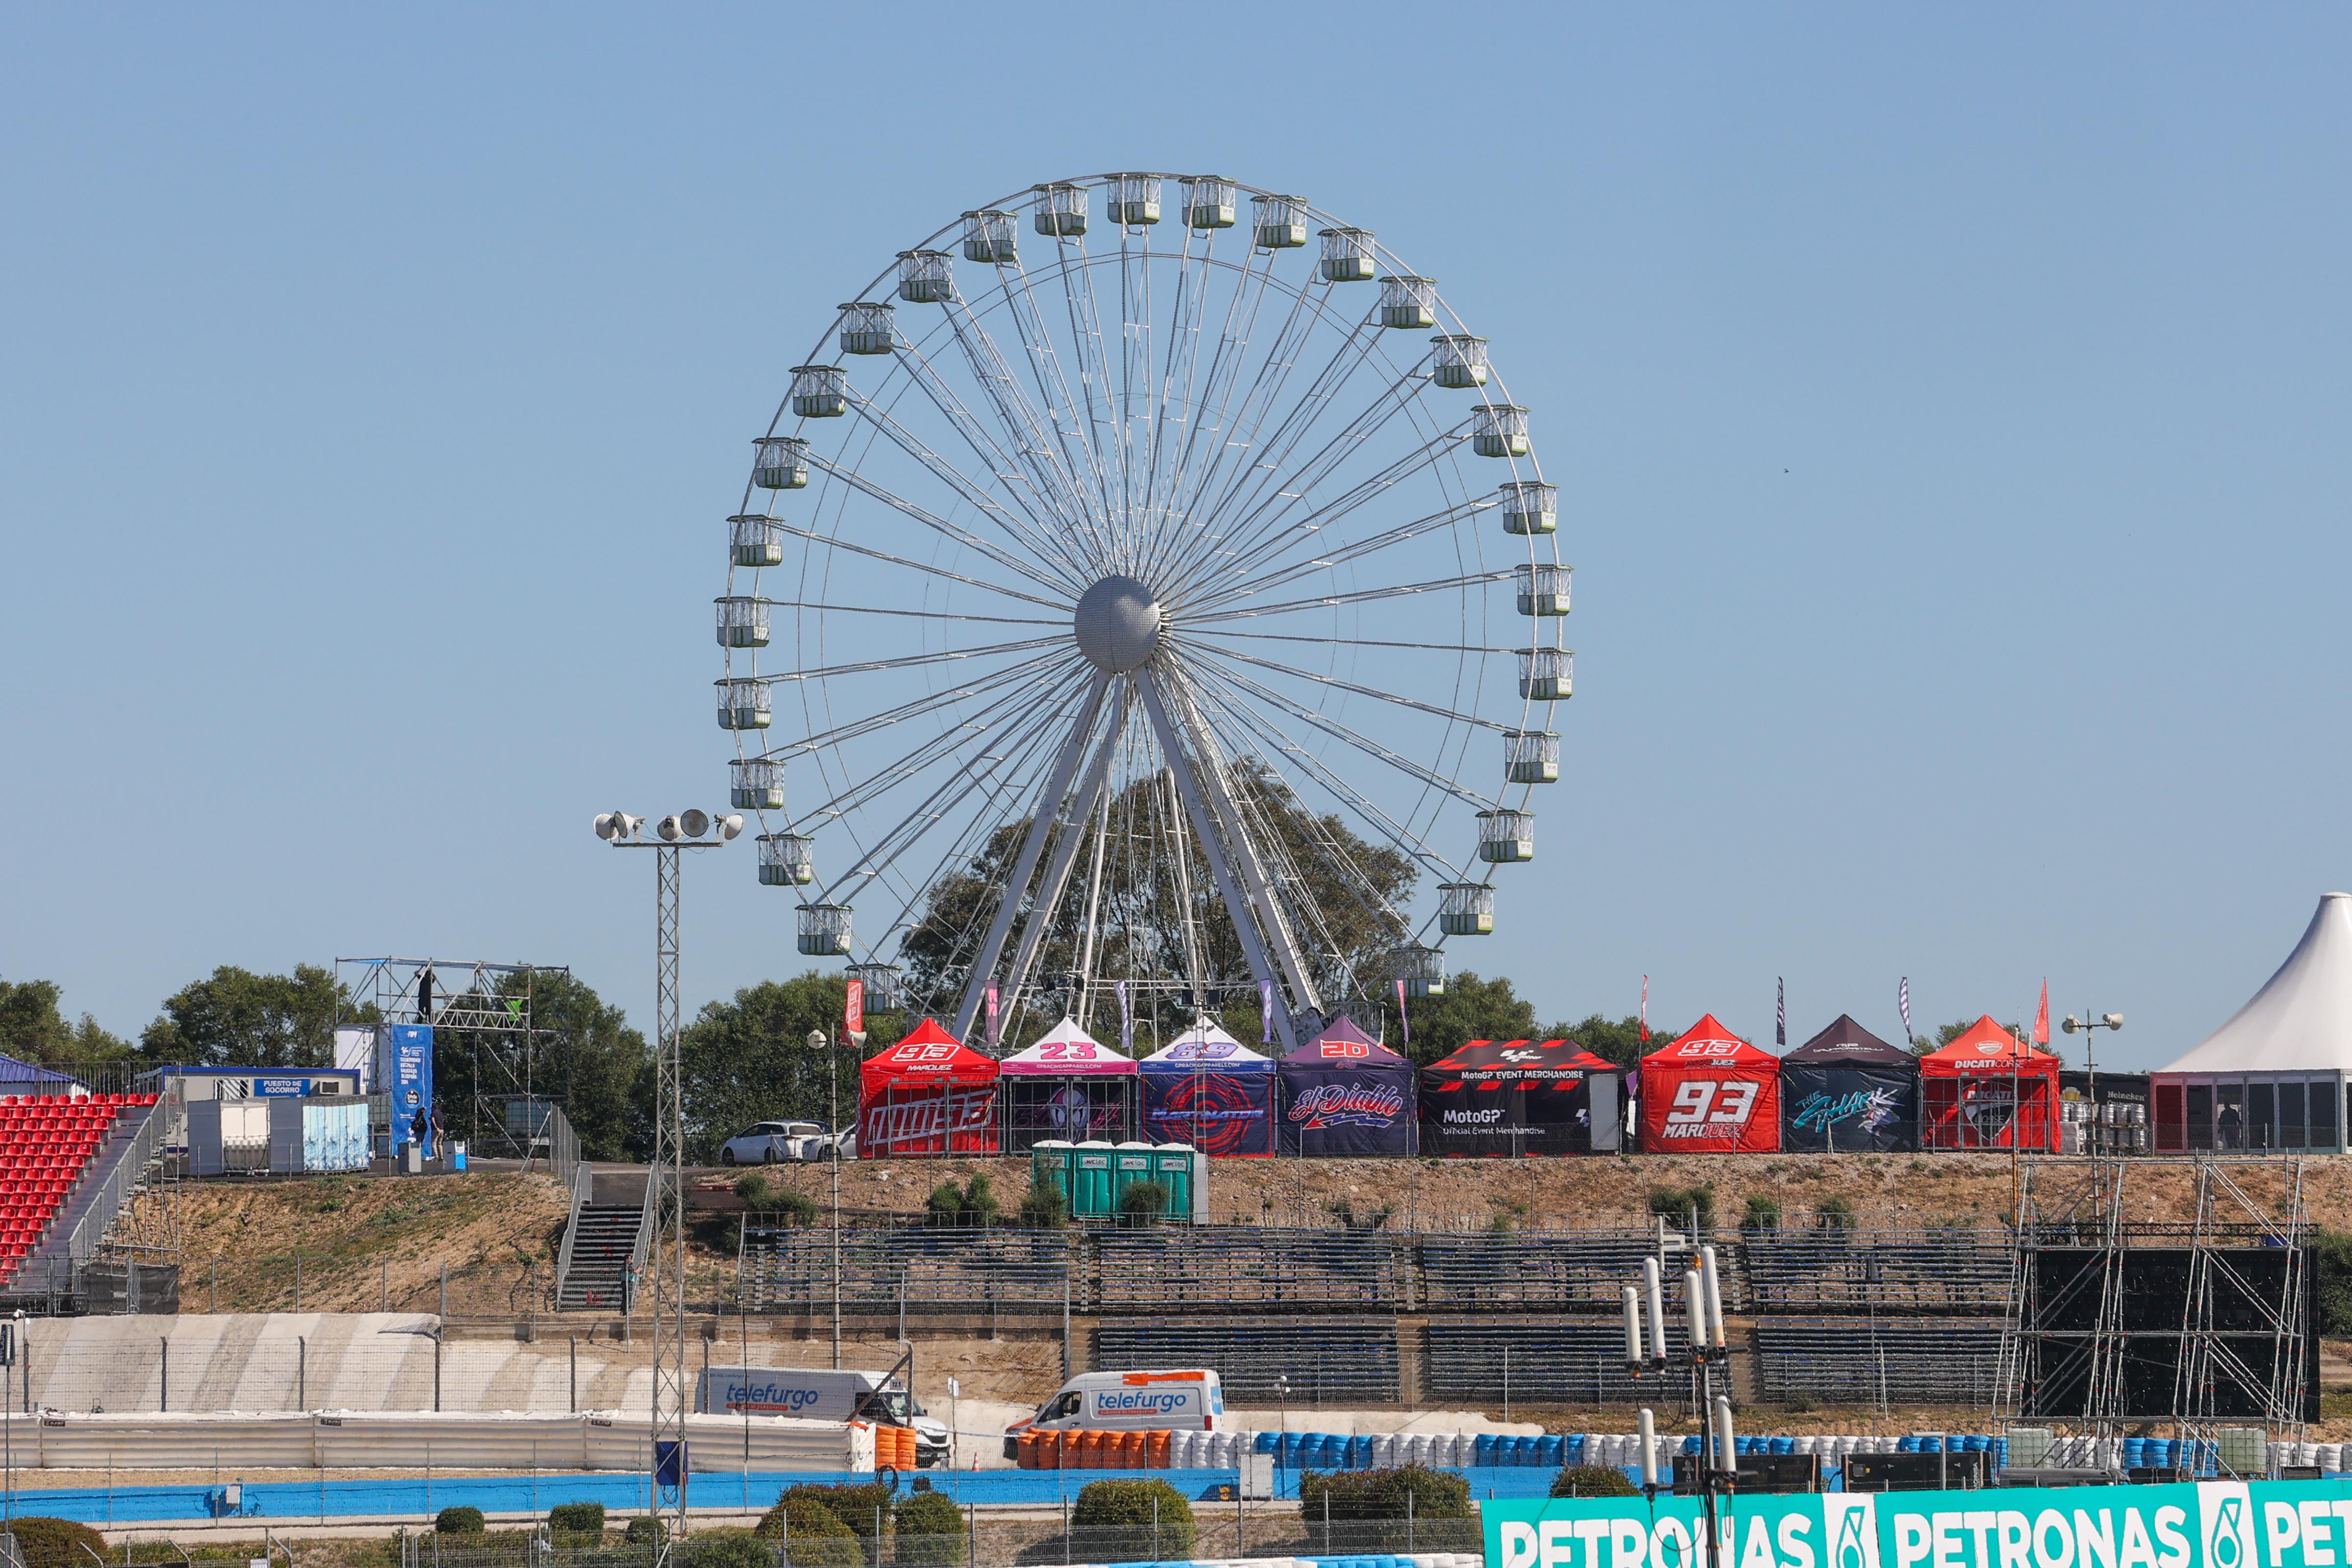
(1949, 408)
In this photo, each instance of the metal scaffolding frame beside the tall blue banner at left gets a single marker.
(509, 1054)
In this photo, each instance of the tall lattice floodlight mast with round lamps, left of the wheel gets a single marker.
(667, 1174)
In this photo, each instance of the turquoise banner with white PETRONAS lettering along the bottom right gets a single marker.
(2207, 1525)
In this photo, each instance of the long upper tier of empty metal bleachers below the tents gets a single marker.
(1269, 1268)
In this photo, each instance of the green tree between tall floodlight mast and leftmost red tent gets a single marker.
(749, 1059)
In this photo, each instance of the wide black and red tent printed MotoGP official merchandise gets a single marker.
(1518, 1097)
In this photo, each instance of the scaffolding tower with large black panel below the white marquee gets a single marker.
(2120, 1325)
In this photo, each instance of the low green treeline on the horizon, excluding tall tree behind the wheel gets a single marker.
(744, 1059)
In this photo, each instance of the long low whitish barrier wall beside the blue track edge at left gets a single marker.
(415, 1440)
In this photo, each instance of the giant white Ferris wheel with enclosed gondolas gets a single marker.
(1147, 594)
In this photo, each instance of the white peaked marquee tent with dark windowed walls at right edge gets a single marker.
(2276, 1076)
